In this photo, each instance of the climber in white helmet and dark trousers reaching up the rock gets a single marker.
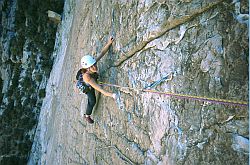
(89, 75)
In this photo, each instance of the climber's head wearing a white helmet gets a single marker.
(88, 62)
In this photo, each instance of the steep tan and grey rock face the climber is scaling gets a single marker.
(202, 44)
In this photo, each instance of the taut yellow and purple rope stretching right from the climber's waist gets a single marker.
(183, 96)
